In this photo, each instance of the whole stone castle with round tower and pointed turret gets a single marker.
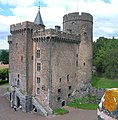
(49, 66)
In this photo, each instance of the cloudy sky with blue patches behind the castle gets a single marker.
(105, 14)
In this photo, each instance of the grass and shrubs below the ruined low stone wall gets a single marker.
(88, 103)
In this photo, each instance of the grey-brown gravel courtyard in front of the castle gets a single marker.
(7, 113)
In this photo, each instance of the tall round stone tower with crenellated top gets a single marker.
(82, 25)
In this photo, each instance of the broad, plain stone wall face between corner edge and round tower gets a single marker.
(63, 72)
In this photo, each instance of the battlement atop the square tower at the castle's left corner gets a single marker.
(21, 26)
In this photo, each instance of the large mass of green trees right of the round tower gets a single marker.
(105, 57)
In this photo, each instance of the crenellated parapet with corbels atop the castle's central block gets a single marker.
(52, 34)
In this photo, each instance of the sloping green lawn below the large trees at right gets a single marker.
(101, 82)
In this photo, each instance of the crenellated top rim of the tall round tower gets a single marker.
(77, 16)
